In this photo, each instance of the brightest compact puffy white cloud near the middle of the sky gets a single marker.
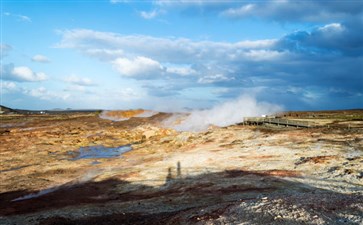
(138, 67)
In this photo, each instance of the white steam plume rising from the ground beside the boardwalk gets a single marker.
(228, 113)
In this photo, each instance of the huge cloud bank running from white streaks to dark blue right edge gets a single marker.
(328, 53)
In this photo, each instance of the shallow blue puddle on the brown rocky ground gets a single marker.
(99, 151)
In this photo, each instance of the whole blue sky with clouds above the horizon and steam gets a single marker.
(170, 55)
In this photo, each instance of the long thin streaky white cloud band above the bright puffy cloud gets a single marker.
(164, 50)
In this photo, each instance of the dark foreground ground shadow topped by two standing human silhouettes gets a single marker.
(183, 199)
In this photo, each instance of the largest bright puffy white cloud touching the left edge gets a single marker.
(21, 74)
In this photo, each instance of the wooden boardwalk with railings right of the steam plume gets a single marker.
(275, 121)
